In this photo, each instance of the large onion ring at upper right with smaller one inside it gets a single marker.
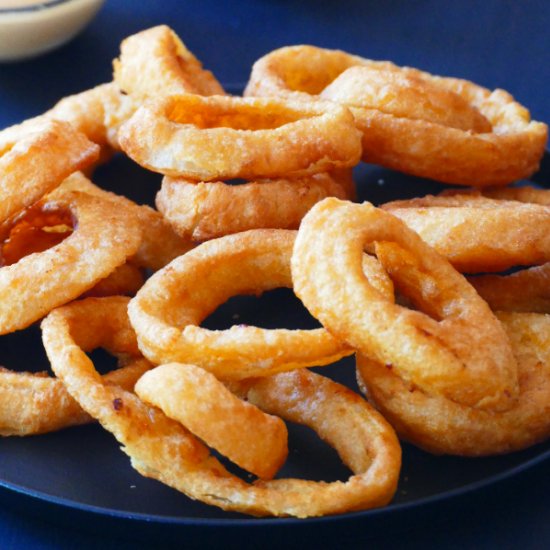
(511, 151)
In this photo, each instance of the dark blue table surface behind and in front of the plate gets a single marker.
(496, 43)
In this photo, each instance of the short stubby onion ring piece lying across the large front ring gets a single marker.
(255, 441)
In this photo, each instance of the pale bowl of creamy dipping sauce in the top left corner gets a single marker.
(29, 28)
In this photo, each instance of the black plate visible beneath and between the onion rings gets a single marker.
(83, 470)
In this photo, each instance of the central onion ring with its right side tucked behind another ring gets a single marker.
(167, 310)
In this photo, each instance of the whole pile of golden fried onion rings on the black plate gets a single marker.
(258, 193)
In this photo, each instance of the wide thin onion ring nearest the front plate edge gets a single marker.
(162, 449)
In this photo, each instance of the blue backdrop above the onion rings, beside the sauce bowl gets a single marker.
(496, 43)
